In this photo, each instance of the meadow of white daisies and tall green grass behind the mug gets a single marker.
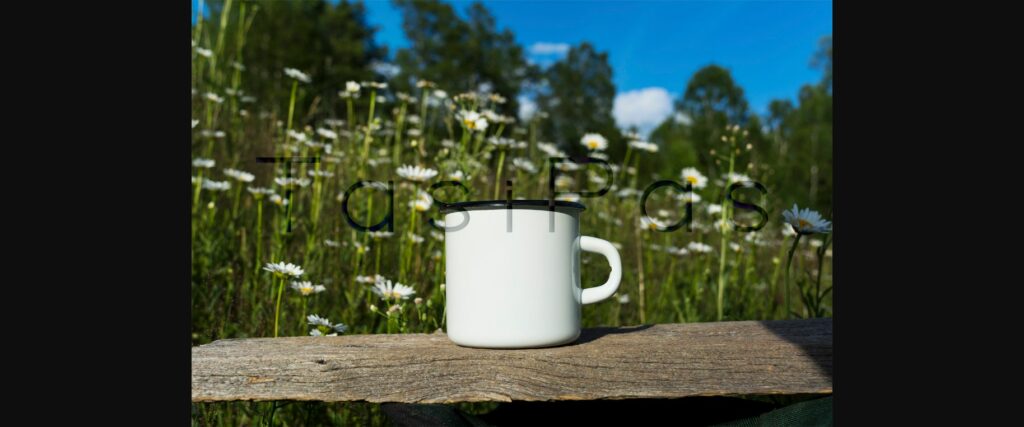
(279, 149)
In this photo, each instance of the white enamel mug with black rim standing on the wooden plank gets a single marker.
(514, 275)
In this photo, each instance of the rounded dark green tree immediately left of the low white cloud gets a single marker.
(579, 97)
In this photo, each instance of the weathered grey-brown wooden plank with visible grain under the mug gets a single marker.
(647, 362)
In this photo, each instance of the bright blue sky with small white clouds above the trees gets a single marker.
(656, 47)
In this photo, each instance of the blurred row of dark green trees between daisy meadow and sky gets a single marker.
(790, 147)
